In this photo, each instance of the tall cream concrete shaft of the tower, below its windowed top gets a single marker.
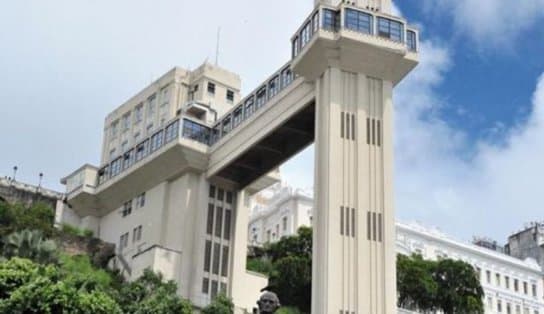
(353, 253)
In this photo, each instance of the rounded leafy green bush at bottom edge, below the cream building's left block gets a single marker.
(151, 294)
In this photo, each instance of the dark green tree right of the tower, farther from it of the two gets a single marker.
(459, 290)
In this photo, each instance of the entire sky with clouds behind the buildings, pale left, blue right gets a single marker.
(469, 122)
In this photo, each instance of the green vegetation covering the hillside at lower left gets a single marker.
(36, 276)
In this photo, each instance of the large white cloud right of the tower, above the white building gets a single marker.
(494, 192)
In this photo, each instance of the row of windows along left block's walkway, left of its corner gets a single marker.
(134, 155)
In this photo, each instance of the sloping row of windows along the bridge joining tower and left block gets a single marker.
(251, 104)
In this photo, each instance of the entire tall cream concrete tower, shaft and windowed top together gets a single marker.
(355, 60)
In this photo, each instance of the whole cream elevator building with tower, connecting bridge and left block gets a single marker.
(181, 159)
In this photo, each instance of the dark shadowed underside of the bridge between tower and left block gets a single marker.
(284, 142)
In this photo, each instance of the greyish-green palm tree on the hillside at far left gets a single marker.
(30, 244)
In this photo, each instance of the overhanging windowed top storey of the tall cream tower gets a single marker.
(357, 40)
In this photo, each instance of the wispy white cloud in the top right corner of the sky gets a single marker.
(490, 22)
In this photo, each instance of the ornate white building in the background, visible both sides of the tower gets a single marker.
(511, 285)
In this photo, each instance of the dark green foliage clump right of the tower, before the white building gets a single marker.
(447, 285)
